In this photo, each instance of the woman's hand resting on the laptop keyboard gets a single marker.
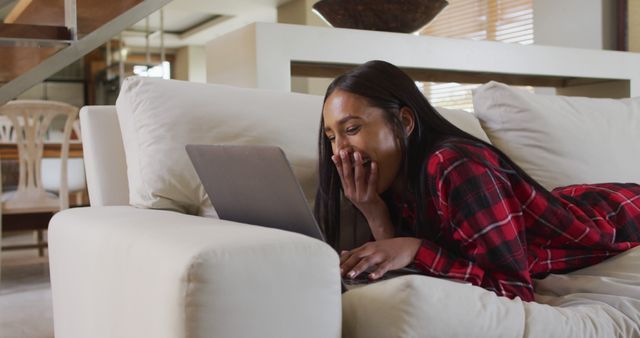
(382, 256)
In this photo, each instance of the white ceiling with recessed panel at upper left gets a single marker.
(195, 22)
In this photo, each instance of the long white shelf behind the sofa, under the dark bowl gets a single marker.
(265, 55)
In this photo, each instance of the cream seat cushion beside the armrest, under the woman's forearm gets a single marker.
(421, 306)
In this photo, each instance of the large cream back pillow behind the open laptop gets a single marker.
(159, 117)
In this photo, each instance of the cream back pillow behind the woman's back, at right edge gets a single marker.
(562, 140)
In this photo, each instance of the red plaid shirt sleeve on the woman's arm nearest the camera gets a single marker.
(481, 225)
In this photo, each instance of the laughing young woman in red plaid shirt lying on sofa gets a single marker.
(445, 201)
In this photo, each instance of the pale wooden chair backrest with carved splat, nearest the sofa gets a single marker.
(30, 121)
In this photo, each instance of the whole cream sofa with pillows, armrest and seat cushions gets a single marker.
(124, 268)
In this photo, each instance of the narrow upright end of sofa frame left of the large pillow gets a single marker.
(103, 150)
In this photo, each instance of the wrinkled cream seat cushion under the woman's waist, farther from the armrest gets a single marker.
(601, 300)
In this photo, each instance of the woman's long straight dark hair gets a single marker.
(387, 87)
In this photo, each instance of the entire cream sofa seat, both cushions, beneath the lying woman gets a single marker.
(602, 300)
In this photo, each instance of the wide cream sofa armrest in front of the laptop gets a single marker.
(119, 271)
